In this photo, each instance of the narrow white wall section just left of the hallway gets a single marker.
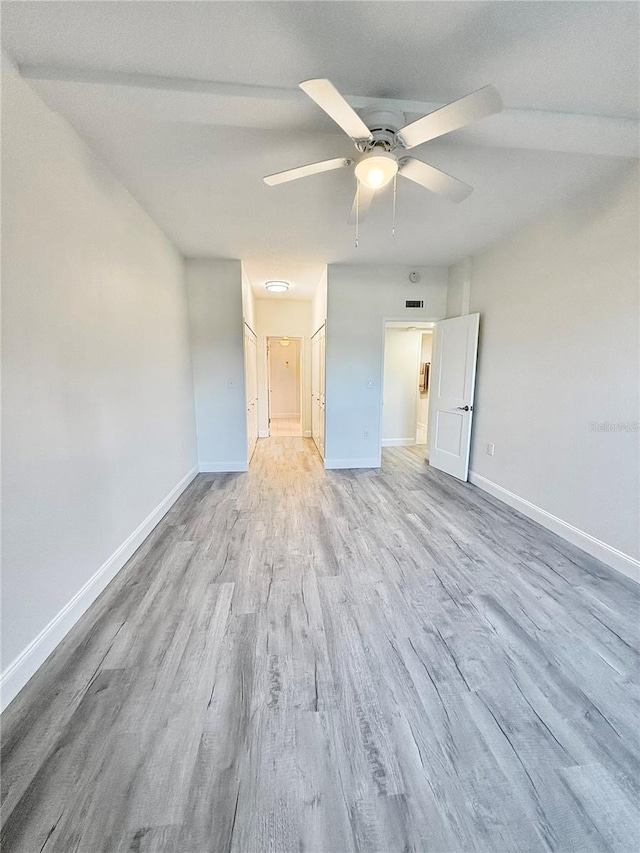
(217, 355)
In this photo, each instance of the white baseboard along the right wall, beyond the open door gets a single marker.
(623, 563)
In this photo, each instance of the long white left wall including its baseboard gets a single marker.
(98, 430)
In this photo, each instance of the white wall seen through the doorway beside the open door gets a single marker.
(400, 389)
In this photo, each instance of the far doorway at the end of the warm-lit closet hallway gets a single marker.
(284, 379)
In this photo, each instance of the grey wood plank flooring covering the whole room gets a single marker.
(301, 661)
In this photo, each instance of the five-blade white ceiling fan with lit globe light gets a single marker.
(381, 140)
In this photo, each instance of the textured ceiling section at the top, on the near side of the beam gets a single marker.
(566, 56)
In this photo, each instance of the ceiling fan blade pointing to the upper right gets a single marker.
(479, 104)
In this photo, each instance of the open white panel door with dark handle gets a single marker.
(452, 385)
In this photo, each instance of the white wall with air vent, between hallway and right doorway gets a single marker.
(359, 299)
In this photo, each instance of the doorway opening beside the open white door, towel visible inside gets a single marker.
(407, 371)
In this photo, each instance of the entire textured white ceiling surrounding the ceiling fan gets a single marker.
(194, 153)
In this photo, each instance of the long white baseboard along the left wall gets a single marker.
(34, 655)
